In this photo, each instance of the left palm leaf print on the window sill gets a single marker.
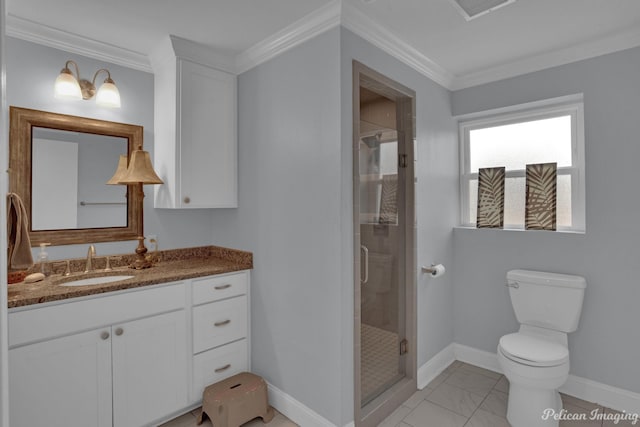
(490, 198)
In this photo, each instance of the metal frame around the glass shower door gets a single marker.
(375, 411)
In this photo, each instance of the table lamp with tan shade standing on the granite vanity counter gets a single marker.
(139, 172)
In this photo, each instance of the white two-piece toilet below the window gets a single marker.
(535, 359)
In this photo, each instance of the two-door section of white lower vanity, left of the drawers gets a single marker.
(75, 364)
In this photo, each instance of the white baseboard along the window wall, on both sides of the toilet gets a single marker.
(582, 388)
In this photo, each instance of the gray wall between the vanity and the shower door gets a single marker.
(290, 218)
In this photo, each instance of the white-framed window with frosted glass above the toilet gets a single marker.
(541, 132)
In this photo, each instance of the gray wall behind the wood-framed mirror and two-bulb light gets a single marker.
(31, 71)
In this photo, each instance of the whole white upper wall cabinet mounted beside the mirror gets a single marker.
(195, 141)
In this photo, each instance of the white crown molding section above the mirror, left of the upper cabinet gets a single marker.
(58, 39)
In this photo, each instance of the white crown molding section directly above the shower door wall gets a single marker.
(375, 33)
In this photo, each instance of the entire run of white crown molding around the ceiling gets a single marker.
(337, 12)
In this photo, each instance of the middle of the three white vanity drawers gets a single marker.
(218, 323)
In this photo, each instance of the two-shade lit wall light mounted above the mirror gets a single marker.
(70, 86)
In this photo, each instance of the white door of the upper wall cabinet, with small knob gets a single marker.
(207, 147)
